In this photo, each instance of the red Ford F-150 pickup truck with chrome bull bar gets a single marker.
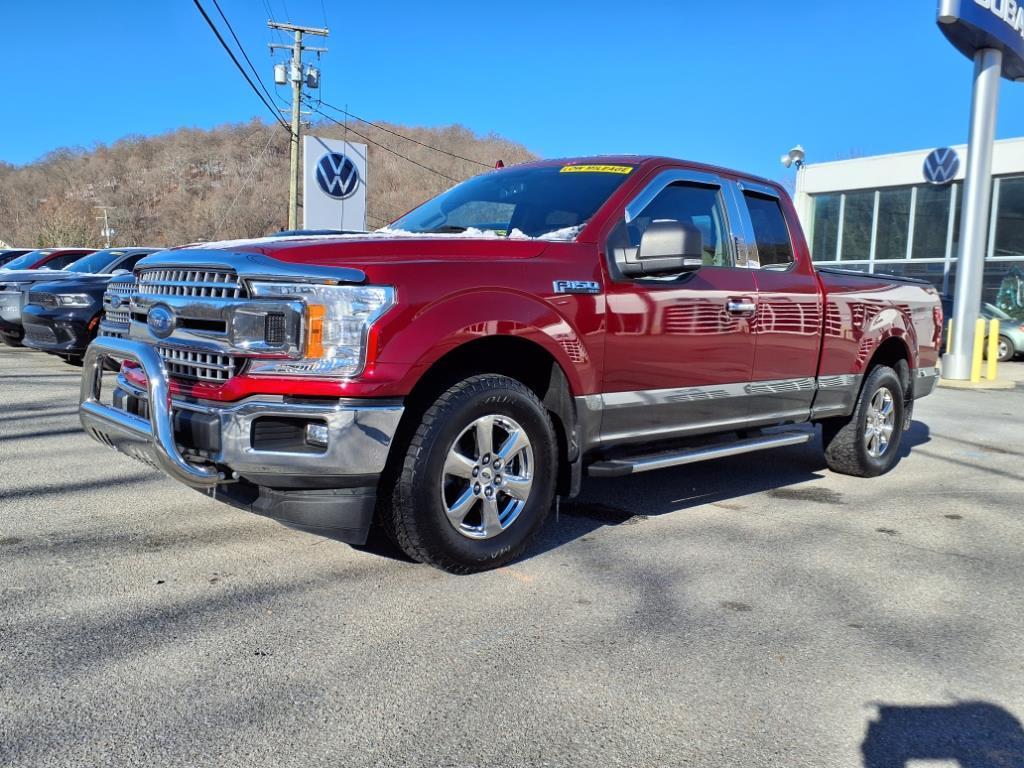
(448, 376)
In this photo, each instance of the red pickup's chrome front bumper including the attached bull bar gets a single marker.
(246, 451)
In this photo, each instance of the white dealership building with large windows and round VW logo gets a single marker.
(898, 215)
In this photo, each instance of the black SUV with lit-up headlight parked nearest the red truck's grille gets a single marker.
(62, 318)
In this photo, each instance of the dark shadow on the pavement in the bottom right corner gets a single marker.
(972, 735)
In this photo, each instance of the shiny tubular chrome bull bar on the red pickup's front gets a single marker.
(149, 440)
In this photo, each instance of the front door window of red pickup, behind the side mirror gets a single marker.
(689, 203)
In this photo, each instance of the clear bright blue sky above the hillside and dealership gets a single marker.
(733, 82)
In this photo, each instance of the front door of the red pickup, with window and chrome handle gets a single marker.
(680, 349)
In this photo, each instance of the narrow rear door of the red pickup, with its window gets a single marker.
(789, 324)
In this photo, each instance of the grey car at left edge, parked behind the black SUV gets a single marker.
(15, 285)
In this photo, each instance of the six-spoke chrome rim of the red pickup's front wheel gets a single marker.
(484, 488)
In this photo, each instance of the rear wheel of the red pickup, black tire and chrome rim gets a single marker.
(867, 445)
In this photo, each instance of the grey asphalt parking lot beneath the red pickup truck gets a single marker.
(754, 612)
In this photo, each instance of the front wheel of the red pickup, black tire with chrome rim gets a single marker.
(478, 480)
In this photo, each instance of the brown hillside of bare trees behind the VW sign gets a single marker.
(209, 185)
